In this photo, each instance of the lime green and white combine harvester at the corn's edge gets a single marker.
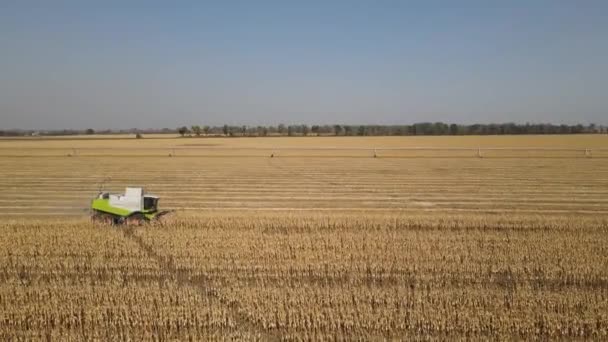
(134, 207)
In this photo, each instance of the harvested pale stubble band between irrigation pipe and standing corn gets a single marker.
(64, 186)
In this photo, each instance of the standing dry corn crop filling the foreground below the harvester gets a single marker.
(307, 277)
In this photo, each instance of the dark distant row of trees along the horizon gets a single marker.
(424, 128)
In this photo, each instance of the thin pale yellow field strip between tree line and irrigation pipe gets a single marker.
(171, 140)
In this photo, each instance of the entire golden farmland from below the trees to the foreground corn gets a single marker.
(309, 244)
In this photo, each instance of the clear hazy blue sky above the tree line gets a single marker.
(121, 64)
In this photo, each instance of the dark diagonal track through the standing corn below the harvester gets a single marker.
(203, 283)
